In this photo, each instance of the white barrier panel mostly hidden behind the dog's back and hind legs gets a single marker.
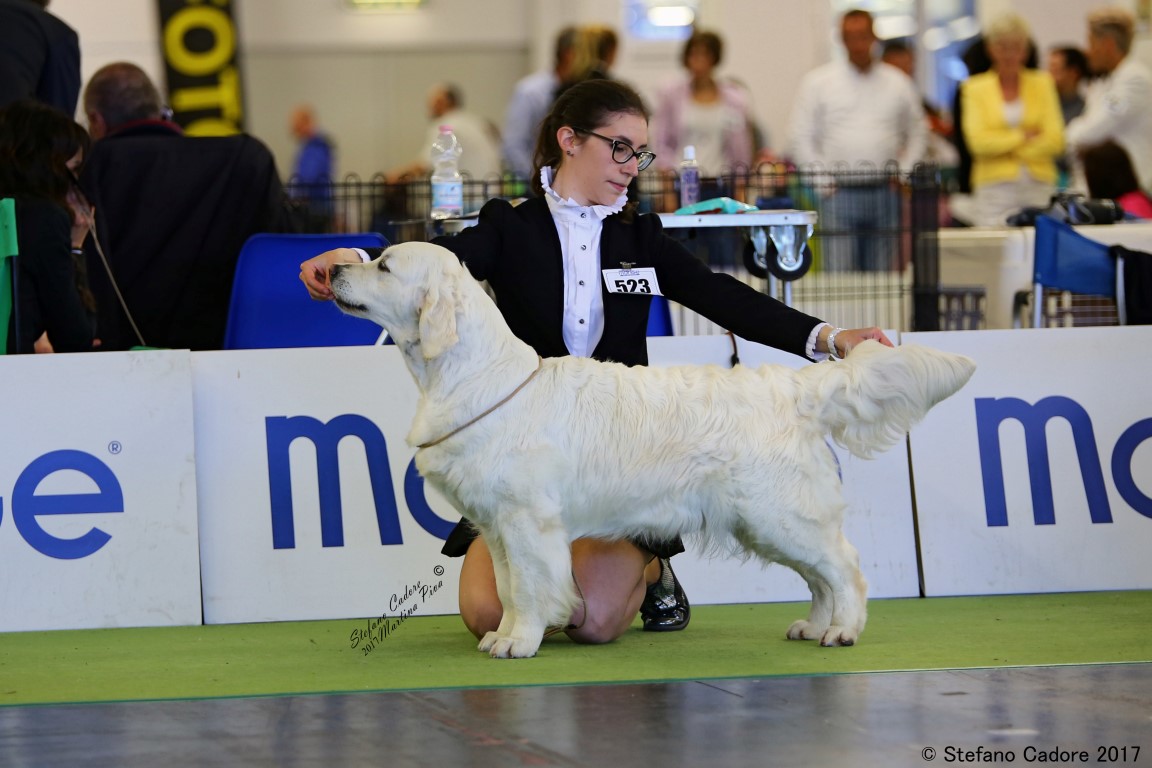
(878, 521)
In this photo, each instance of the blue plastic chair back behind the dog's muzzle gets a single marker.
(270, 307)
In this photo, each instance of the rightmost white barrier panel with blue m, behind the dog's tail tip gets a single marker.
(1037, 477)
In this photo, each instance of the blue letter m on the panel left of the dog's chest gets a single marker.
(282, 431)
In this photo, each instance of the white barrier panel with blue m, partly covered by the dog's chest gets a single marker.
(305, 507)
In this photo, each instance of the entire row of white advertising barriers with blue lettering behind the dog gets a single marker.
(1037, 477)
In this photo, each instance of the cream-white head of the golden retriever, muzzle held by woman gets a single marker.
(412, 291)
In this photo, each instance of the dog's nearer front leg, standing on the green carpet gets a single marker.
(539, 590)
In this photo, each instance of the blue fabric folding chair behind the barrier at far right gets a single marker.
(1064, 260)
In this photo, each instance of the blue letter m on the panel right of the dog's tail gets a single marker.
(991, 413)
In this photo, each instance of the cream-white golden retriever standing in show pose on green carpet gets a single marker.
(537, 454)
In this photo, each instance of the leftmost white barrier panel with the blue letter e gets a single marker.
(98, 492)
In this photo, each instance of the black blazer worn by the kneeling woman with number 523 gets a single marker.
(518, 252)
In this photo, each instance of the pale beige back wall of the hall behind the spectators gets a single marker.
(368, 73)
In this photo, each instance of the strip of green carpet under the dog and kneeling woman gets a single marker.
(723, 642)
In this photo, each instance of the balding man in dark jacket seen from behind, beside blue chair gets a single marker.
(175, 212)
